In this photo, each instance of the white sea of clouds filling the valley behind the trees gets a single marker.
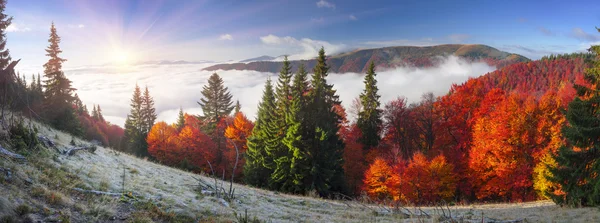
(175, 86)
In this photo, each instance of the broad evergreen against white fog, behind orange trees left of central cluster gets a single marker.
(216, 101)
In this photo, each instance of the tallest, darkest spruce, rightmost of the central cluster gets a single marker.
(325, 148)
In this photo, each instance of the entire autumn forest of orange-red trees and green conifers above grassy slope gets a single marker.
(511, 135)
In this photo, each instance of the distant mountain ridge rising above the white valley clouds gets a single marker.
(389, 57)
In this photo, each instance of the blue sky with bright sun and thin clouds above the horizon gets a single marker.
(96, 32)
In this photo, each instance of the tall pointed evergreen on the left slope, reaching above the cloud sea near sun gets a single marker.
(58, 94)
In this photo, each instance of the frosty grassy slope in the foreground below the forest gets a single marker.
(167, 194)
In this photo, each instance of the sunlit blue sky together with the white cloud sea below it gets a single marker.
(102, 40)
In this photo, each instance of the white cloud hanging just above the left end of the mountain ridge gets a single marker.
(304, 48)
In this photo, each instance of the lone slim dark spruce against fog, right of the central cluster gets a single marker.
(369, 118)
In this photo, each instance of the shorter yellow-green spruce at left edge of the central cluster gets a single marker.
(258, 166)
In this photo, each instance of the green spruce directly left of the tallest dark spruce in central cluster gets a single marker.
(295, 168)
